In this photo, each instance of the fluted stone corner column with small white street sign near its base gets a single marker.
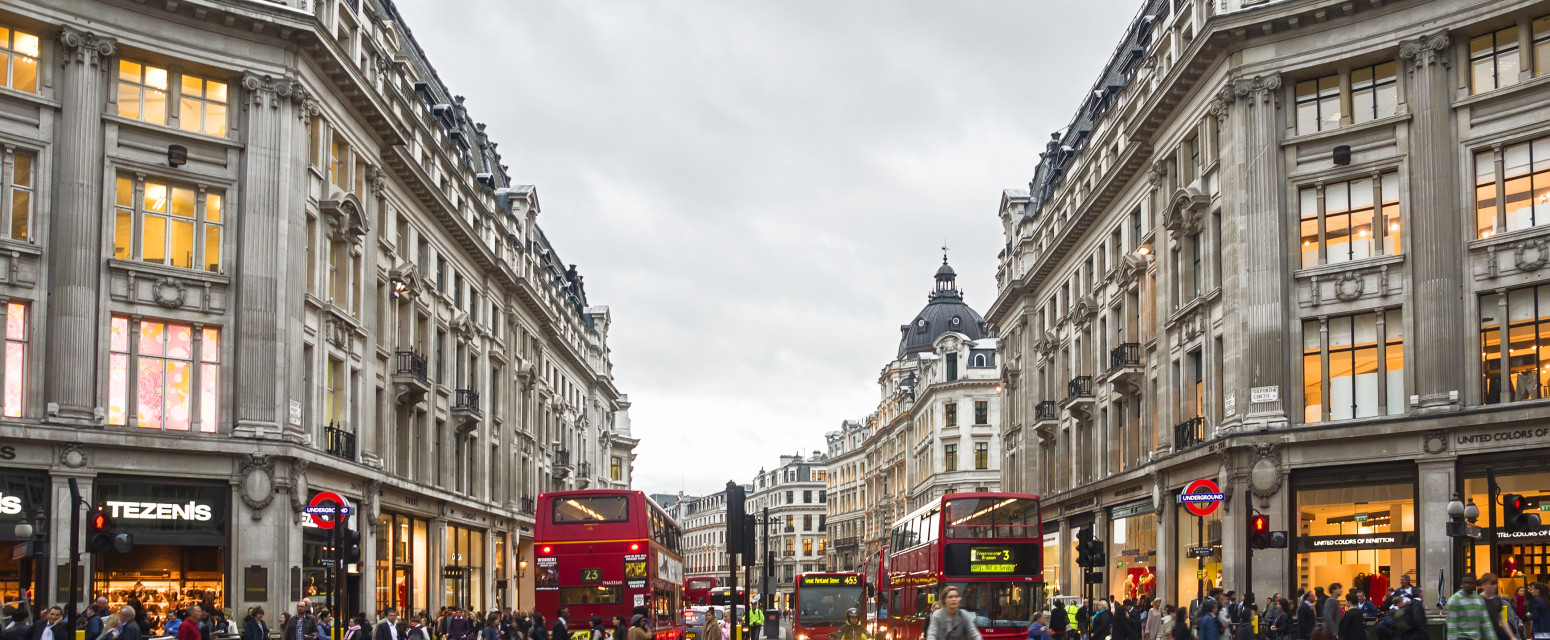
(1259, 287)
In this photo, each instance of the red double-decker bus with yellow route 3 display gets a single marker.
(987, 545)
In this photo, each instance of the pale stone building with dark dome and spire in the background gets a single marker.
(935, 432)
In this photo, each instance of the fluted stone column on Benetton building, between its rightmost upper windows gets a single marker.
(1436, 244)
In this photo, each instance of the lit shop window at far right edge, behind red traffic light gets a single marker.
(1524, 557)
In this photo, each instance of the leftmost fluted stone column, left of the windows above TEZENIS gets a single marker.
(75, 236)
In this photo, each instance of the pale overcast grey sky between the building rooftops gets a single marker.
(759, 190)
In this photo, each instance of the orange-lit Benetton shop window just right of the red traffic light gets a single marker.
(1362, 537)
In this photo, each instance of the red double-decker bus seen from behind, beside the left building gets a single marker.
(604, 552)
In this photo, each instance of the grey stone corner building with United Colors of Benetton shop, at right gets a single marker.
(1280, 249)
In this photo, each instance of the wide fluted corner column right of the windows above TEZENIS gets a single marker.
(261, 408)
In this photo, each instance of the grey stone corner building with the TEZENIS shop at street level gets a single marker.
(309, 272)
